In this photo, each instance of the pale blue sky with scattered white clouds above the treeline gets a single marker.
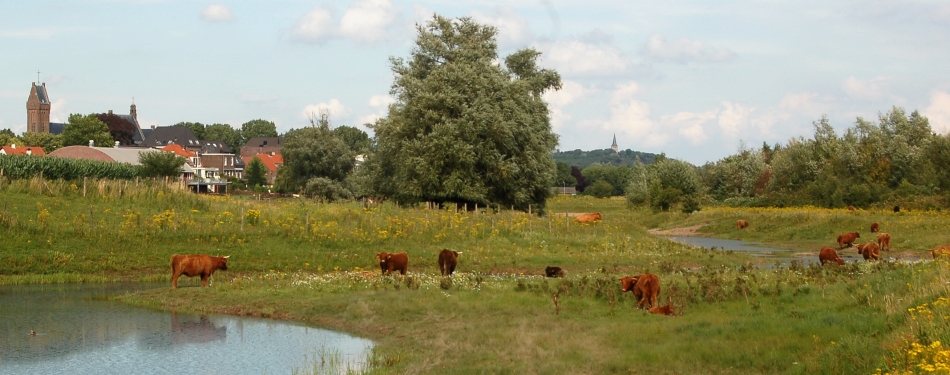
(697, 80)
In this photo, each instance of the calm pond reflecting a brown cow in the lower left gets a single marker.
(78, 332)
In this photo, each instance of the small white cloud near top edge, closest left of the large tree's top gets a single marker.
(369, 21)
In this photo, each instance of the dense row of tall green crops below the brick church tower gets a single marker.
(25, 166)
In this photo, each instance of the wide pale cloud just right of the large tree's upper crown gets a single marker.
(578, 58)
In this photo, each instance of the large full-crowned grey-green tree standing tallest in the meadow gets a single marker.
(466, 128)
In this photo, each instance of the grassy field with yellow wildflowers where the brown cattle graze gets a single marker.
(299, 260)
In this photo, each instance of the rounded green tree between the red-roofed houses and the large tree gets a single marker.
(313, 152)
